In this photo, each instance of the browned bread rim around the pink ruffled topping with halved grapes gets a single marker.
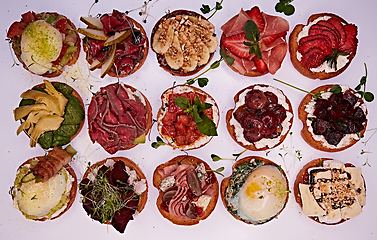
(157, 179)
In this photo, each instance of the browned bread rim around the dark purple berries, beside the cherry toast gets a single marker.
(307, 136)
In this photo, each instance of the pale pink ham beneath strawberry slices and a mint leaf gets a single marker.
(273, 53)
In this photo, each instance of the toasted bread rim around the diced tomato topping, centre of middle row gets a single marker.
(170, 141)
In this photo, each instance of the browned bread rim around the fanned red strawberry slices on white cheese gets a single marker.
(293, 47)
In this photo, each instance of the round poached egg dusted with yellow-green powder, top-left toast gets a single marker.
(41, 44)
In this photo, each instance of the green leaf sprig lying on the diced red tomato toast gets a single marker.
(204, 124)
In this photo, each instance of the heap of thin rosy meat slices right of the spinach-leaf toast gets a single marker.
(115, 120)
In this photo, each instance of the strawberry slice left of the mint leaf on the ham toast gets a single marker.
(236, 45)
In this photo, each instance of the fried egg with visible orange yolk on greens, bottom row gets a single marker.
(263, 194)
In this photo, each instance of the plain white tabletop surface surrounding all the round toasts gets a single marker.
(223, 84)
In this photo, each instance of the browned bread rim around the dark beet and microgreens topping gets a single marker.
(133, 166)
